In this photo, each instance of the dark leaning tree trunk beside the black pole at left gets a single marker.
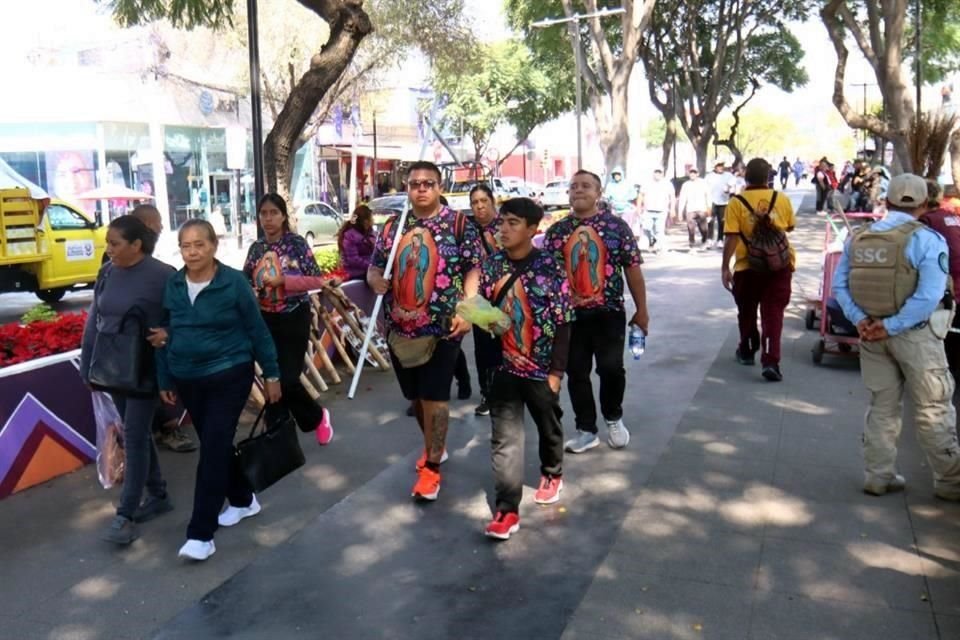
(349, 24)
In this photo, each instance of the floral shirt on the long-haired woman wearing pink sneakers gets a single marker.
(290, 255)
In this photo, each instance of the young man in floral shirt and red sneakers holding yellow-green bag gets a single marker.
(534, 358)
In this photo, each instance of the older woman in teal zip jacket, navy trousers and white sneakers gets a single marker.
(206, 356)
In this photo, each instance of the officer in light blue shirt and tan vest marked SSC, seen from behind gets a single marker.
(890, 282)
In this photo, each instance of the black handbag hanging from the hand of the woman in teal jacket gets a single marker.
(274, 453)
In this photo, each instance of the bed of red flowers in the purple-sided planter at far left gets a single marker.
(41, 338)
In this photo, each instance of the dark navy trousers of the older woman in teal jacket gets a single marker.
(215, 403)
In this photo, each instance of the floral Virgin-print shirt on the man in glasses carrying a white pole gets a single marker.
(433, 258)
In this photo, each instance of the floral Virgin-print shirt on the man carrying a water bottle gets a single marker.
(594, 251)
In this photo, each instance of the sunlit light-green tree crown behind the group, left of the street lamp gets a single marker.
(500, 86)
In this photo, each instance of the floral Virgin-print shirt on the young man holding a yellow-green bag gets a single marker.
(538, 303)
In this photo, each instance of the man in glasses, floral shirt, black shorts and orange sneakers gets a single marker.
(436, 264)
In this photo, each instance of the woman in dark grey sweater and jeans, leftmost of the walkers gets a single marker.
(117, 358)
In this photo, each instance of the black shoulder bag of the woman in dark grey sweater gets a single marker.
(123, 362)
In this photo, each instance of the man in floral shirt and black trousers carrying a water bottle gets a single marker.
(597, 250)
